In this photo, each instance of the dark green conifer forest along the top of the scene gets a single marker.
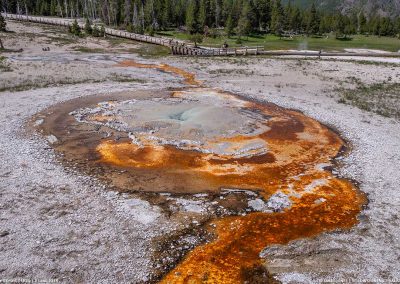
(240, 17)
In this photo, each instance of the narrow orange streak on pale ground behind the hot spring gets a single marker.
(189, 78)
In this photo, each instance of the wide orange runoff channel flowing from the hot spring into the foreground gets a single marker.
(240, 239)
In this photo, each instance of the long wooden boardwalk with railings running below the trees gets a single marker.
(183, 48)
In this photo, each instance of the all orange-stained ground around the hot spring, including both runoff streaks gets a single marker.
(296, 146)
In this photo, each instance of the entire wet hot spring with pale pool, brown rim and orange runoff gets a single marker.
(246, 174)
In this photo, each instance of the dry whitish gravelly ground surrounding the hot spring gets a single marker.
(56, 223)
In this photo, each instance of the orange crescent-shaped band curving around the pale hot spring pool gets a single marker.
(295, 145)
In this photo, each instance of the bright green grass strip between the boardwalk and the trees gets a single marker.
(272, 42)
